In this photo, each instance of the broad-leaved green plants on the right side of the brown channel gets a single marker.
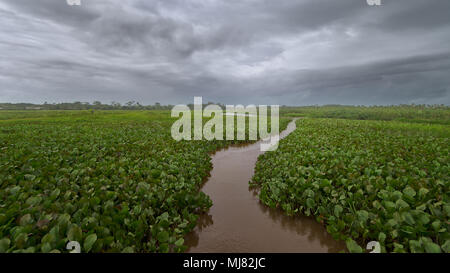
(386, 181)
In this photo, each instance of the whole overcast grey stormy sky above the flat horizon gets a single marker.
(296, 52)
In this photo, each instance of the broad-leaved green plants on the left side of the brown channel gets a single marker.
(115, 181)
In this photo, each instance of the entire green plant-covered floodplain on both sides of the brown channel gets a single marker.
(116, 181)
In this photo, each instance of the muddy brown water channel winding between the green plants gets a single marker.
(239, 222)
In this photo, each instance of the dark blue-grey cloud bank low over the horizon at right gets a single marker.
(401, 80)
